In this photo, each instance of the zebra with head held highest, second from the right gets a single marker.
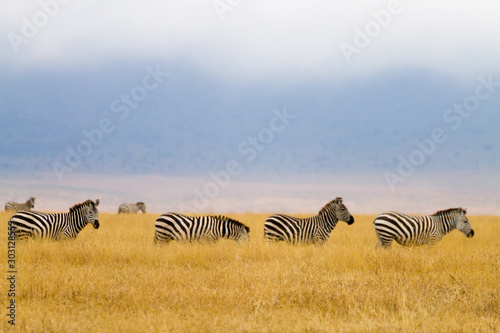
(310, 230)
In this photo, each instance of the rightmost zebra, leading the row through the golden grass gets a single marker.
(419, 230)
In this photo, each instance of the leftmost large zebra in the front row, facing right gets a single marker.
(56, 226)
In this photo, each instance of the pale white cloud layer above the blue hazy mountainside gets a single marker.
(257, 39)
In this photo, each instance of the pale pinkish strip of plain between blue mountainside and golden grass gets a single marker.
(233, 195)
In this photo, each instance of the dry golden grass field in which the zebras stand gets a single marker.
(115, 279)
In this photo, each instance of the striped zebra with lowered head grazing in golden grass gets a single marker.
(173, 226)
